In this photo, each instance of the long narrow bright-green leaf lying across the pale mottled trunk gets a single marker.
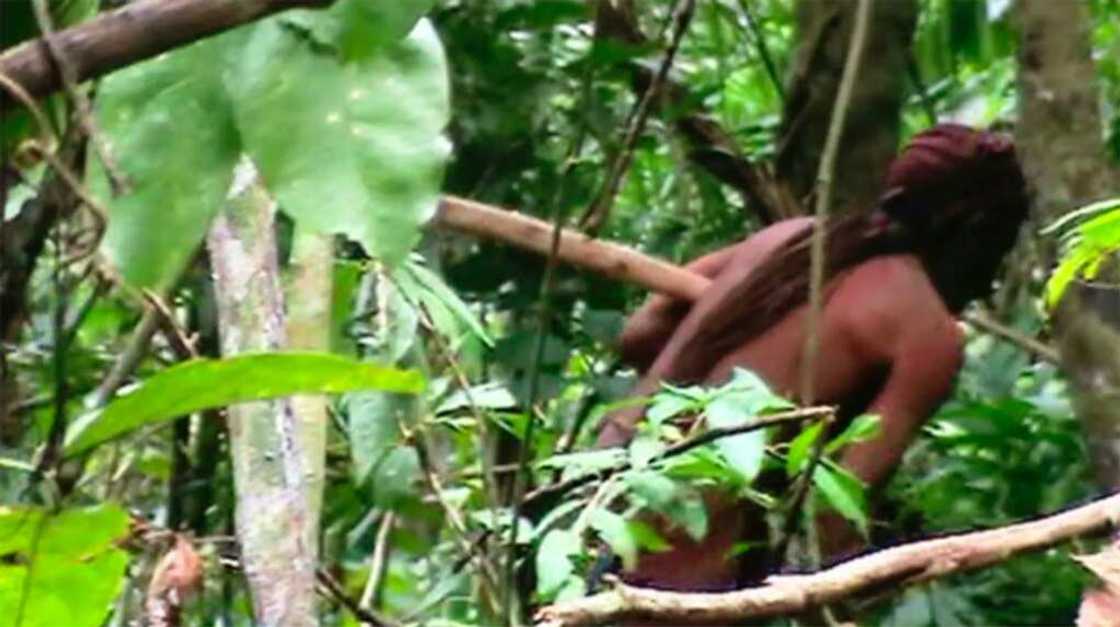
(211, 383)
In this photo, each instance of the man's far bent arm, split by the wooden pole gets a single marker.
(650, 327)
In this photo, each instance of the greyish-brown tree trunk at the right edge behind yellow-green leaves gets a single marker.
(1061, 146)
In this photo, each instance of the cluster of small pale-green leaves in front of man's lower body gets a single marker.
(631, 511)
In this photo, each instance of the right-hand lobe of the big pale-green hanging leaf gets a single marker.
(352, 148)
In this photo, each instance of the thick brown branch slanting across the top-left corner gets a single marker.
(136, 32)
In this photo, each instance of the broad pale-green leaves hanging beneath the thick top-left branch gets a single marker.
(352, 147)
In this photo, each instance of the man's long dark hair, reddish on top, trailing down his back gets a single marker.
(956, 198)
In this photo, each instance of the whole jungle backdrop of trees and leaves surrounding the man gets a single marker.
(232, 341)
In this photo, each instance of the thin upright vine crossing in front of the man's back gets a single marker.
(825, 174)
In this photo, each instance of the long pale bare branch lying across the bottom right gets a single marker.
(785, 595)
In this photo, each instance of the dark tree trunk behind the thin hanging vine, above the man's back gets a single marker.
(871, 136)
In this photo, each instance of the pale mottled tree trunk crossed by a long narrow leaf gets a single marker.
(272, 464)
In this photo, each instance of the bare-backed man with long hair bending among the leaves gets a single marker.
(890, 344)
